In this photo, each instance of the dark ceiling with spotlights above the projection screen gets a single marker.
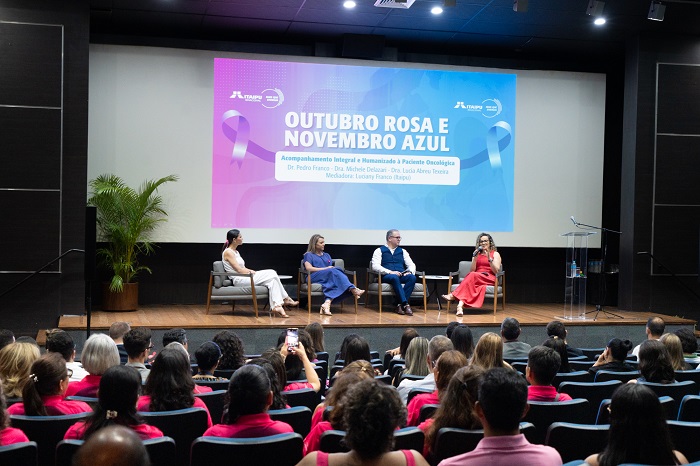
(472, 27)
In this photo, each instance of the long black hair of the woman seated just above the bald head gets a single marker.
(119, 390)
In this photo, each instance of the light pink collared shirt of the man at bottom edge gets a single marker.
(506, 450)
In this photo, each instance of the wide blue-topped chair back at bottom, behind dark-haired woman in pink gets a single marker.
(279, 450)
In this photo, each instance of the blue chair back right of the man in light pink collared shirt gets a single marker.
(575, 441)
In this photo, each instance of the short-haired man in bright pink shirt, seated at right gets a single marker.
(542, 365)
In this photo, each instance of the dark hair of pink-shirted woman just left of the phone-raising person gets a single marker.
(248, 393)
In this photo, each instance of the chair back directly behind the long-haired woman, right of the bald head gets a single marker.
(183, 425)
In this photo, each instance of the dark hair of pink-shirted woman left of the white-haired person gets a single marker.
(44, 379)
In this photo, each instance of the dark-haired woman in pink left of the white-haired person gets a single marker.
(44, 392)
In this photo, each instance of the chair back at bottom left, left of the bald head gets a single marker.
(46, 431)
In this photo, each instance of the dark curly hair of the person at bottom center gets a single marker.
(373, 410)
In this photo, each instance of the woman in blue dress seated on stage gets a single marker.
(334, 282)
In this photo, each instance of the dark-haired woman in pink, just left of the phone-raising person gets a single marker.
(248, 398)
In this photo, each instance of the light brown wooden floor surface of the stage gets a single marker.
(220, 316)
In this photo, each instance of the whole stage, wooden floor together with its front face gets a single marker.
(383, 330)
